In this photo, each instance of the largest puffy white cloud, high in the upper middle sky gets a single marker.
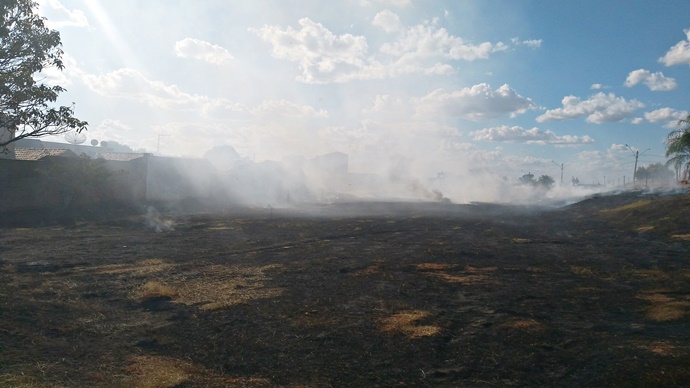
(325, 57)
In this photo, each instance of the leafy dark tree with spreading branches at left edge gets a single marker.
(27, 47)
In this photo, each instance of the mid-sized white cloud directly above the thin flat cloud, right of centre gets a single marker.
(479, 102)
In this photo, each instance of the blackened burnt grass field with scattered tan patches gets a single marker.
(370, 294)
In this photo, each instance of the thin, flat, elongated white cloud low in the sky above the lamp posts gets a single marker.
(518, 134)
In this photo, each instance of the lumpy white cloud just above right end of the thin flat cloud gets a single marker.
(599, 108)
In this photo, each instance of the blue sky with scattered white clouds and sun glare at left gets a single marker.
(473, 88)
